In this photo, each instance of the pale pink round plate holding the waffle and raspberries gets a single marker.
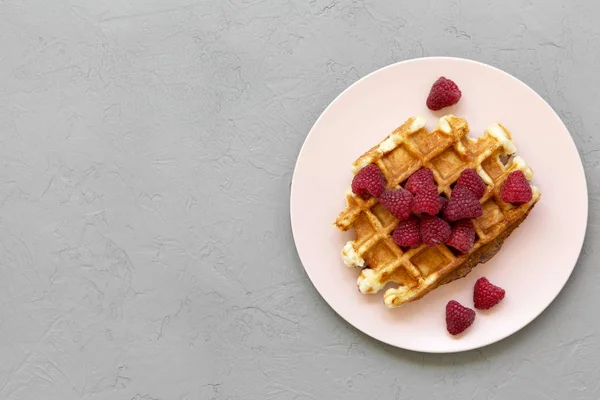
(541, 253)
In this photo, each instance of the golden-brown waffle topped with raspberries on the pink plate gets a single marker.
(447, 151)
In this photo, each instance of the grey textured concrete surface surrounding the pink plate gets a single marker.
(146, 153)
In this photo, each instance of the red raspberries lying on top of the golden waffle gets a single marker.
(425, 216)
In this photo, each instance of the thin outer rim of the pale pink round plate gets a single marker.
(580, 240)
